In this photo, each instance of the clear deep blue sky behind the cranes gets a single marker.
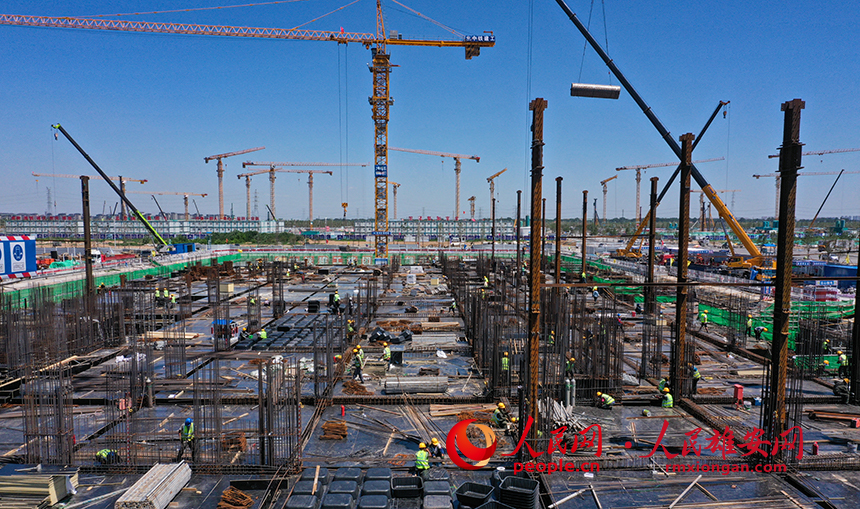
(152, 106)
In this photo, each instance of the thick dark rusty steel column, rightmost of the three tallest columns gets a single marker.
(789, 163)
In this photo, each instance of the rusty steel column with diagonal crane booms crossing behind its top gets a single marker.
(678, 370)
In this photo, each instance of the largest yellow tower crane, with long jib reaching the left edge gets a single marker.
(381, 67)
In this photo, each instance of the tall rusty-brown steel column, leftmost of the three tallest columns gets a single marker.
(537, 106)
